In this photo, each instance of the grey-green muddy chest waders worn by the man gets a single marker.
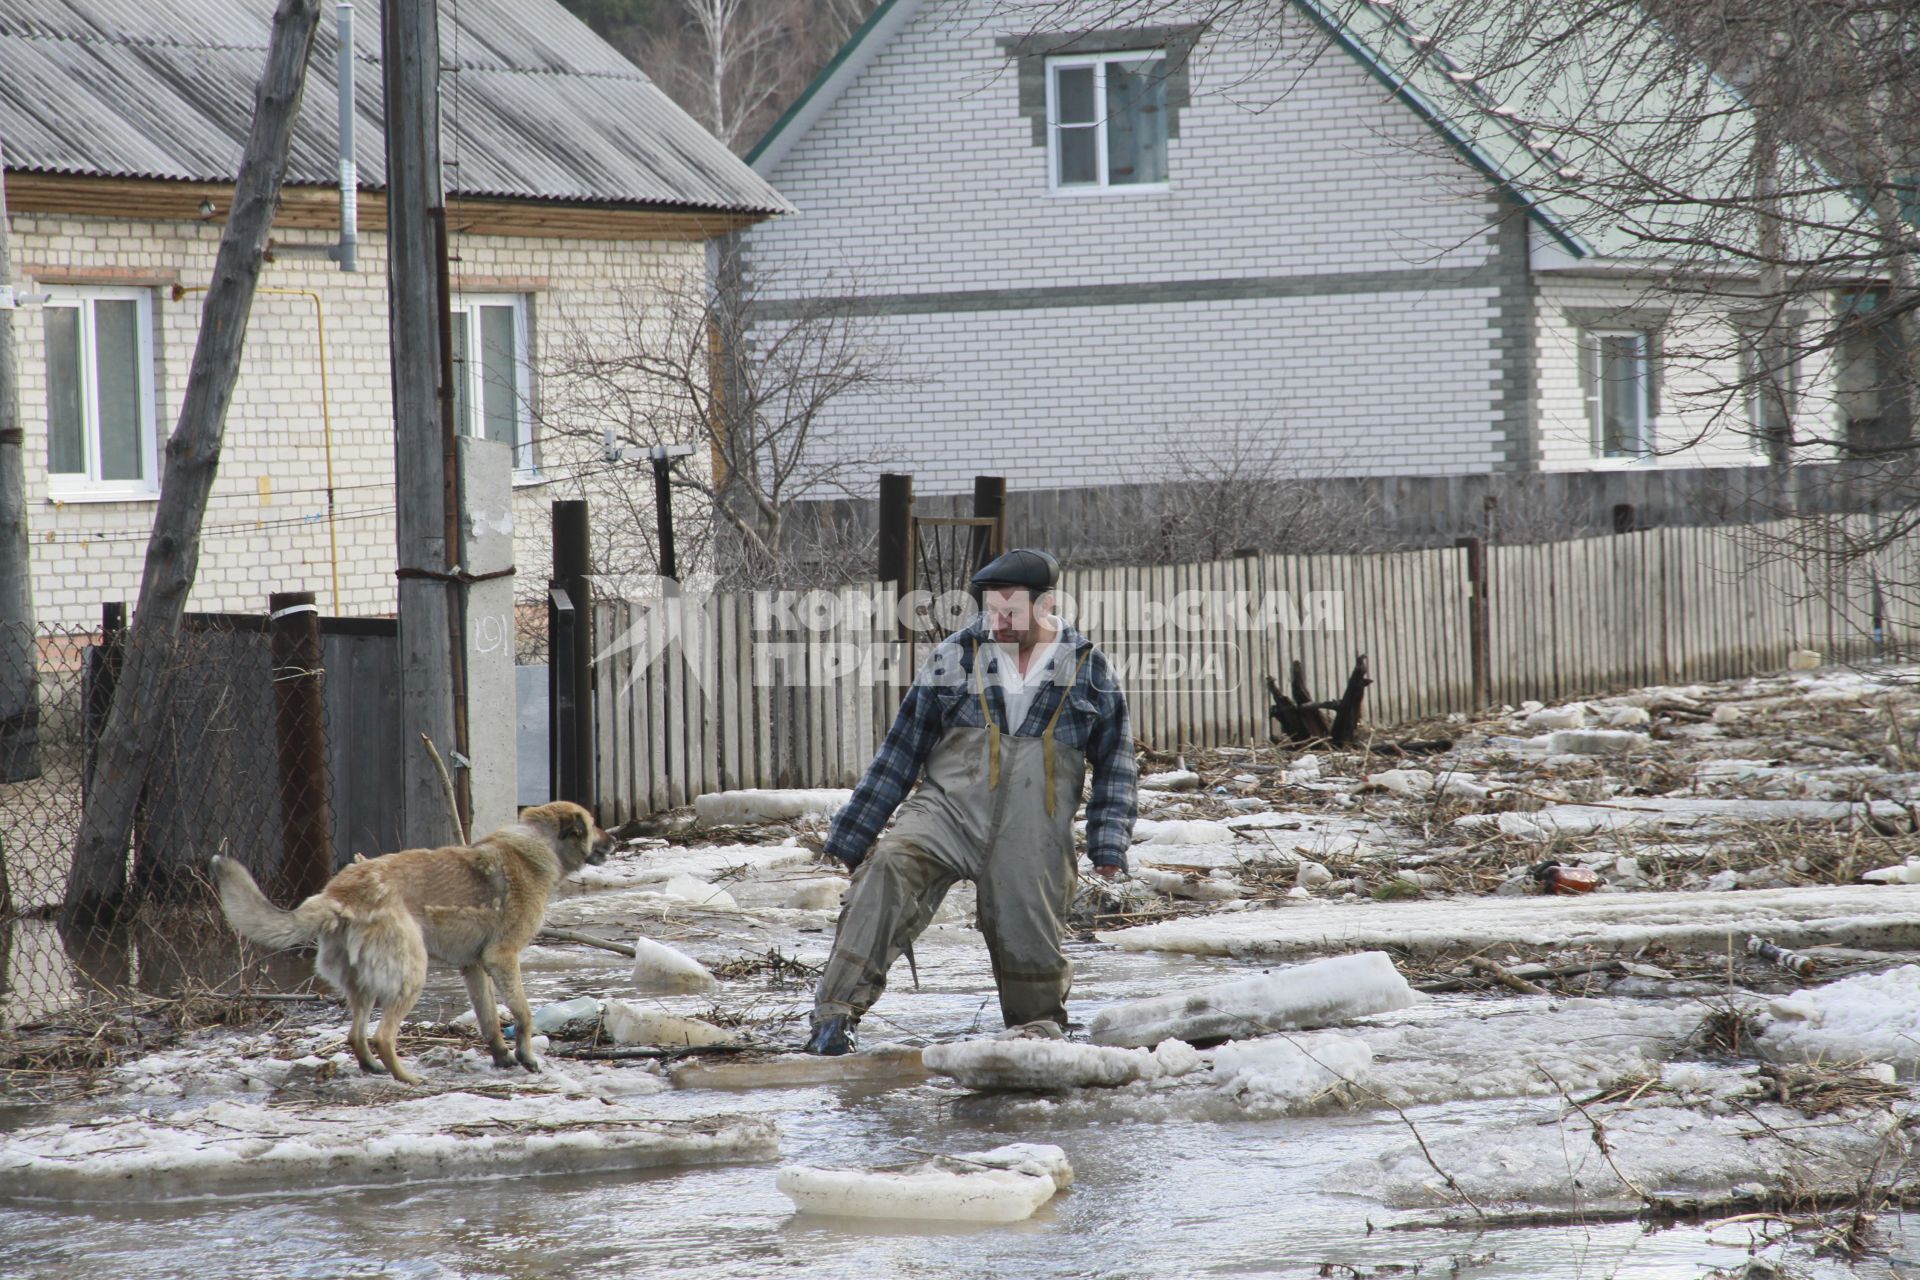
(992, 809)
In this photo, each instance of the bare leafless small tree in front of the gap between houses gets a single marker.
(750, 383)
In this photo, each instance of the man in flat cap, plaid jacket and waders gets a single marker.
(999, 728)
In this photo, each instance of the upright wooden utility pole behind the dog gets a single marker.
(425, 477)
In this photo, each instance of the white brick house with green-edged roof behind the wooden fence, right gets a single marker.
(1276, 237)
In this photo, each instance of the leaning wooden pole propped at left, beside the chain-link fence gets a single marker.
(97, 886)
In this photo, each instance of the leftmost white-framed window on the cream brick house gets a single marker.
(101, 394)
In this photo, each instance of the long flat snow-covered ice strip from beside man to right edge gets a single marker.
(1884, 916)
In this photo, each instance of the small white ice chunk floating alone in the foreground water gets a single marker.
(1005, 1185)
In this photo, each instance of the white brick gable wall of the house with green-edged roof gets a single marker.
(1364, 346)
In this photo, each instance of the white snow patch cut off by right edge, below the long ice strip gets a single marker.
(1873, 1016)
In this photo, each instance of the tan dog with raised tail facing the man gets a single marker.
(469, 907)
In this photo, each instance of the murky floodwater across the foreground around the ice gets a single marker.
(1176, 1198)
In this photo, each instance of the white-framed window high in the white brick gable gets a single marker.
(1107, 120)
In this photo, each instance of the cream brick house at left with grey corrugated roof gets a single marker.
(573, 183)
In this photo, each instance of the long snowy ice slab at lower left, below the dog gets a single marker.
(254, 1147)
